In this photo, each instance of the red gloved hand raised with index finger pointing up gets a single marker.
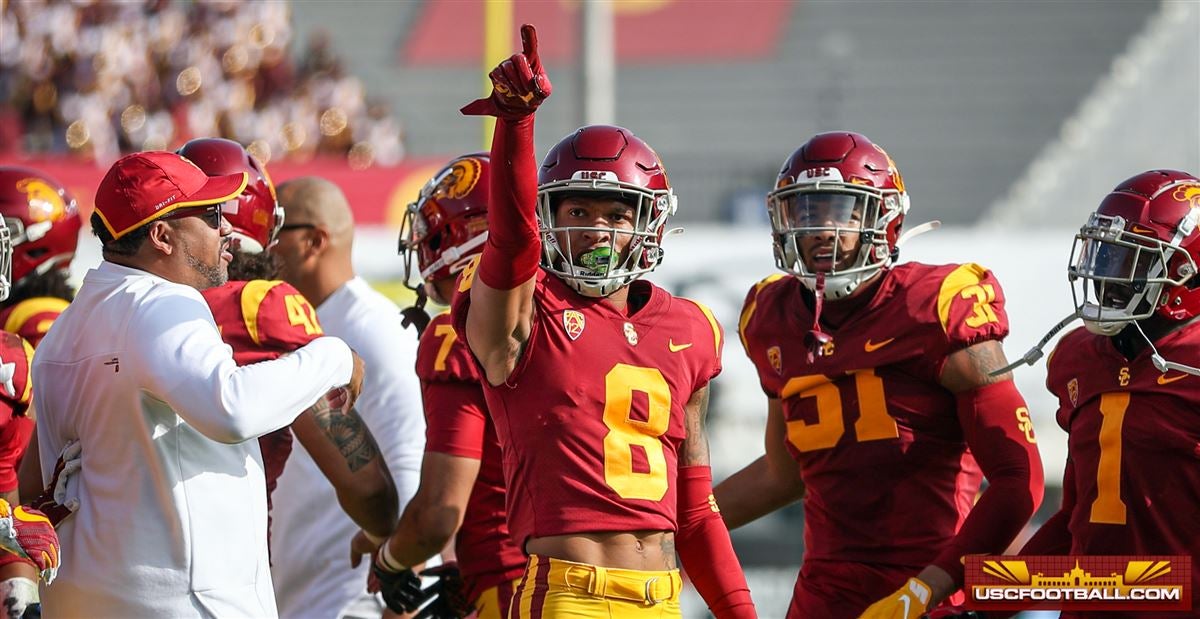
(519, 85)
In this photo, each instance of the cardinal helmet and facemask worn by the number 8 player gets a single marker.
(608, 163)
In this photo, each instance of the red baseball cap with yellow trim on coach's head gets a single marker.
(147, 187)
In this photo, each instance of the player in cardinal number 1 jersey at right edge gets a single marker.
(1127, 382)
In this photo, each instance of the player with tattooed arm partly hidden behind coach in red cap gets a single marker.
(263, 318)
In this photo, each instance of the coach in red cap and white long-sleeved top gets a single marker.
(173, 504)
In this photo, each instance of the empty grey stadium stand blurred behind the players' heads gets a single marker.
(964, 95)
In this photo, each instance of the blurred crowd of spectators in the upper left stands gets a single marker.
(100, 79)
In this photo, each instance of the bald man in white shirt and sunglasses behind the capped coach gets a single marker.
(311, 538)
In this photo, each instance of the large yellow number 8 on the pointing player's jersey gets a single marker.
(627, 434)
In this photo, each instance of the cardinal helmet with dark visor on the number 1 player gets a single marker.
(1137, 255)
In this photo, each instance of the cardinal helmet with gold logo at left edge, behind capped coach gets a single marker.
(43, 223)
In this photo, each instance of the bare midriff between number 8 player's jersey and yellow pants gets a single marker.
(625, 550)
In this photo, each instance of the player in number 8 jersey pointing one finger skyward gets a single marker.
(605, 461)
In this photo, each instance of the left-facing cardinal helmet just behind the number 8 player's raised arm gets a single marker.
(447, 226)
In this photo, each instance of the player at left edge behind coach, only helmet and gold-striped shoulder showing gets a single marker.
(44, 226)
